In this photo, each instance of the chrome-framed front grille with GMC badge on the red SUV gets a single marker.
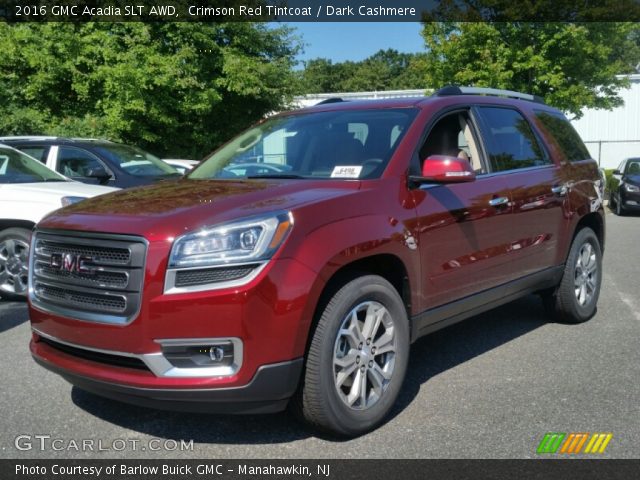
(92, 277)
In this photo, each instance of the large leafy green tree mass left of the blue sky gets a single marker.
(176, 88)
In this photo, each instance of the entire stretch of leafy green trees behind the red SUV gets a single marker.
(181, 89)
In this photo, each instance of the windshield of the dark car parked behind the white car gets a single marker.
(135, 161)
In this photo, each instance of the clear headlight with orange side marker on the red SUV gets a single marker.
(248, 240)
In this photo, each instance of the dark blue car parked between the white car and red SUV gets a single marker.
(95, 161)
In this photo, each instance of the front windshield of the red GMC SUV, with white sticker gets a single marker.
(342, 144)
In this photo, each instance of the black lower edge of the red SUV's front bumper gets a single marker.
(268, 391)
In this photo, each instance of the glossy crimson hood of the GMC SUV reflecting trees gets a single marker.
(172, 208)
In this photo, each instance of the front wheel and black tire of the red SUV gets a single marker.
(322, 402)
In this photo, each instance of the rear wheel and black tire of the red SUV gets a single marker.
(564, 304)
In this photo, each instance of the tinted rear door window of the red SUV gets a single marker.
(510, 142)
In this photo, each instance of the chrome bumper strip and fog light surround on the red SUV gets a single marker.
(161, 367)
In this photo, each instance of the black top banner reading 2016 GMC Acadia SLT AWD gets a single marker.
(321, 11)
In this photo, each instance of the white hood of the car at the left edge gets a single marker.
(47, 191)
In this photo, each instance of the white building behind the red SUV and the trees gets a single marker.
(610, 135)
